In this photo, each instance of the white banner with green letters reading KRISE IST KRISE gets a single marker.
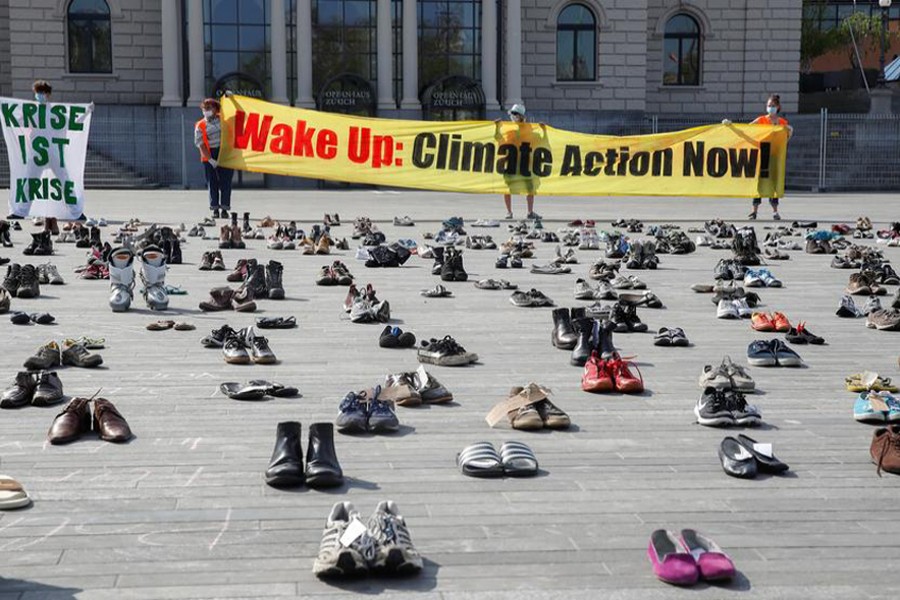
(47, 145)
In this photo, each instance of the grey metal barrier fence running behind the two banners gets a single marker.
(148, 146)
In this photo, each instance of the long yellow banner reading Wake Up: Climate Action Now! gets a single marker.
(503, 157)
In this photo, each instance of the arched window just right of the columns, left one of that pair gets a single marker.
(576, 44)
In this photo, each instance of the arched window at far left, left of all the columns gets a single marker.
(90, 37)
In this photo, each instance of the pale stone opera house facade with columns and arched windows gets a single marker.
(161, 52)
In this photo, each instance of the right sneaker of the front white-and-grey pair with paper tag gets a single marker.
(394, 551)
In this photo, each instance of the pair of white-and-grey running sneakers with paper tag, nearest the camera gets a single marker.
(351, 548)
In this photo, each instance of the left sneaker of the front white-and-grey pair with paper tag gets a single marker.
(337, 559)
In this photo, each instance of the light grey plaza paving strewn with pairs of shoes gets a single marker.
(182, 511)
